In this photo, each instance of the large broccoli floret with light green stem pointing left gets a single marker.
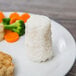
(18, 27)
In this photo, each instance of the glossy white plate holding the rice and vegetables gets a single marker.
(64, 49)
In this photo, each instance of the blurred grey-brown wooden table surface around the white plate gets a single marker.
(62, 11)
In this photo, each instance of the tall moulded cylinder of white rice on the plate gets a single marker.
(38, 42)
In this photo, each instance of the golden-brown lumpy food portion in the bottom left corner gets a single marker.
(6, 65)
